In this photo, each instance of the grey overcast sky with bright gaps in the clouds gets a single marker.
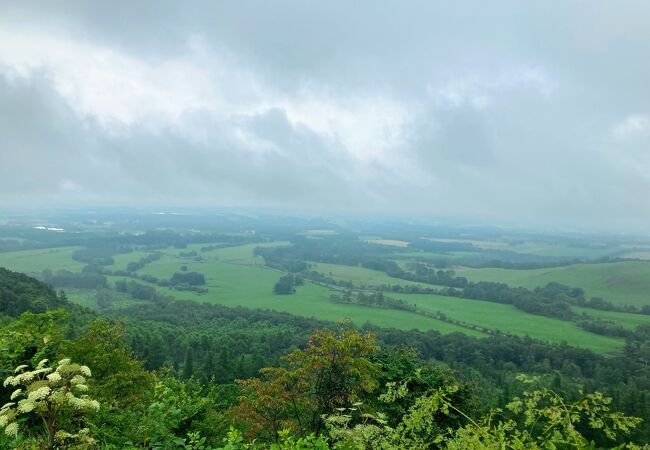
(532, 112)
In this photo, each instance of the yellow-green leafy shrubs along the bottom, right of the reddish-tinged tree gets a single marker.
(541, 419)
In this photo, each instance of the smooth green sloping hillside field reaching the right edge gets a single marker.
(626, 282)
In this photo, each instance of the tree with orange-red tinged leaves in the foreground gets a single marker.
(333, 371)
